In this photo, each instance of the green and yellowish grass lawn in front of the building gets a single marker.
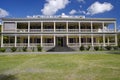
(60, 67)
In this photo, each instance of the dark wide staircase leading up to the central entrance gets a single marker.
(60, 49)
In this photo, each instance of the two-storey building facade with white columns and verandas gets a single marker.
(49, 32)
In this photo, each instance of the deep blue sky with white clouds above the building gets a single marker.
(87, 8)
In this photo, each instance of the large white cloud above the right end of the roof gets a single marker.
(98, 7)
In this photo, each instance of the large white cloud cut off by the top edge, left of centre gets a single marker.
(52, 6)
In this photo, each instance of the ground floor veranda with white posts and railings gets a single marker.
(58, 40)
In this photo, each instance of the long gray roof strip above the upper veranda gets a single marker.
(58, 19)
